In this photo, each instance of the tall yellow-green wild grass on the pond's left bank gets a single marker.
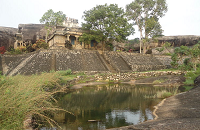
(27, 95)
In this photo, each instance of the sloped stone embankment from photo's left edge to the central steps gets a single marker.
(47, 60)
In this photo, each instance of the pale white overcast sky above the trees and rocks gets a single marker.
(182, 18)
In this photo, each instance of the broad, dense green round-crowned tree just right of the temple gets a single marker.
(105, 23)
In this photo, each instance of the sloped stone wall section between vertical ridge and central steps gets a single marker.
(79, 60)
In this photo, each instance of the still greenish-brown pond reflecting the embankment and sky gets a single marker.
(108, 106)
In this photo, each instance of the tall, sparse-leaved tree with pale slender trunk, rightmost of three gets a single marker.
(145, 14)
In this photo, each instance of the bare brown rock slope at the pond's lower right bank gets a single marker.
(179, 112)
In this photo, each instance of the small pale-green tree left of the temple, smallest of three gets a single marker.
(52, 19)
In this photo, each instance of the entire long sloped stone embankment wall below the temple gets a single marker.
(80, 60)
